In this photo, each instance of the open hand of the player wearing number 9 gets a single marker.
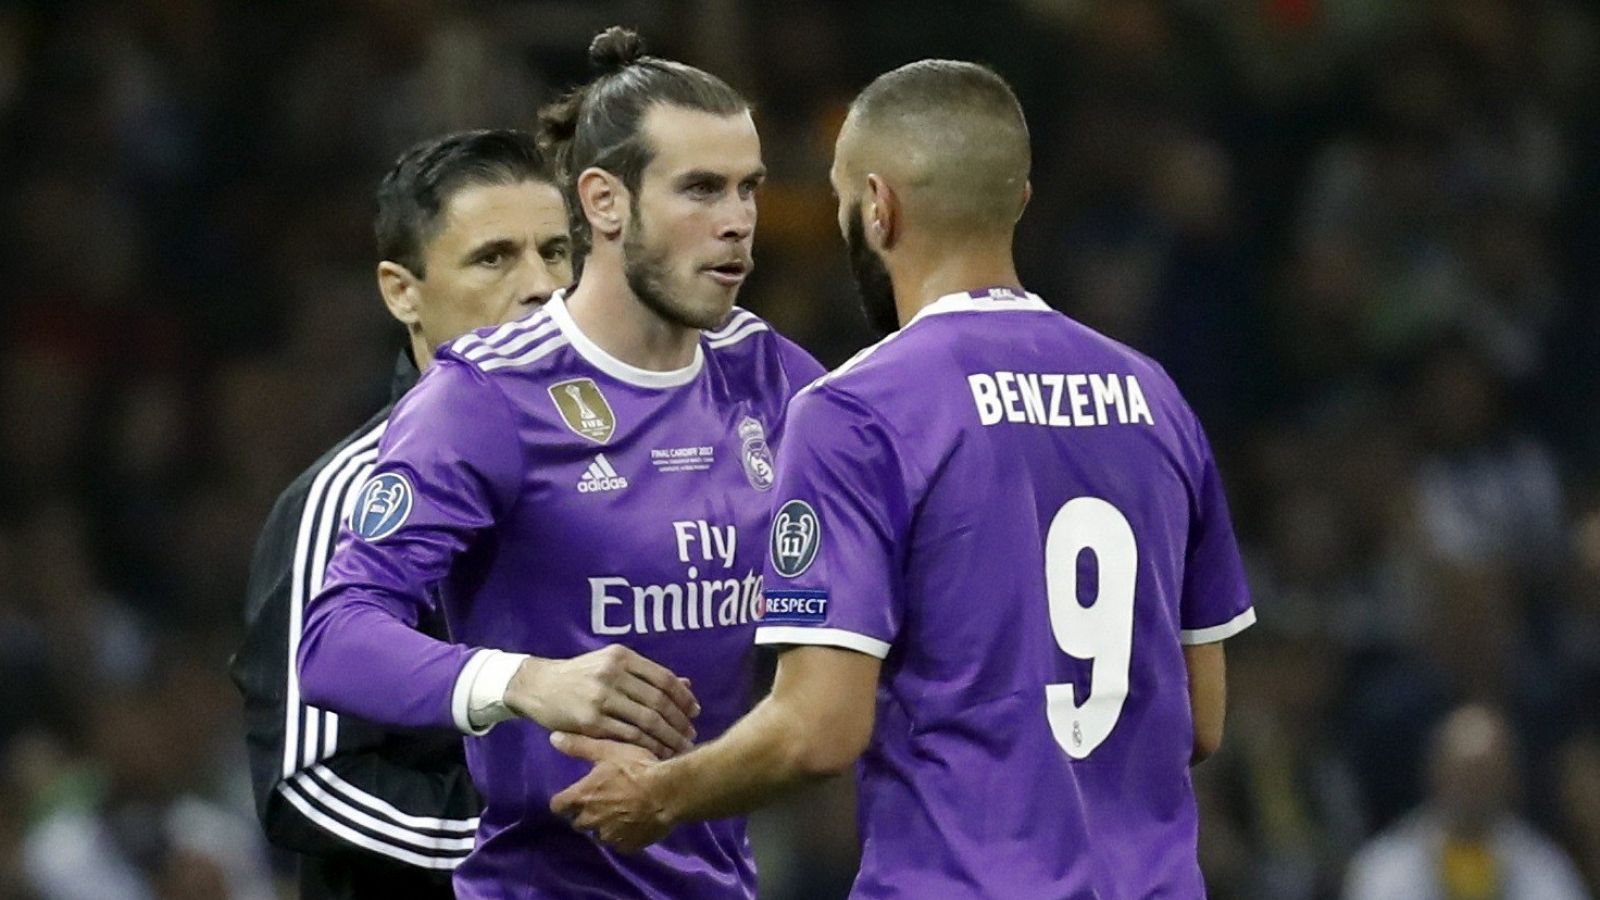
(614, 802)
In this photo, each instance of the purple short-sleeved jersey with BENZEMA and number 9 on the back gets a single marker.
(1025, 521)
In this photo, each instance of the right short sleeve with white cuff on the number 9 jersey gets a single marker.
(1217, 600)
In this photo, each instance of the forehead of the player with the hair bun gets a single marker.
(694, 140)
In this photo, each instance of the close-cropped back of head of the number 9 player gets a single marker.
(950, 135)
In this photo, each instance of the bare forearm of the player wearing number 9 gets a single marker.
(764, 755)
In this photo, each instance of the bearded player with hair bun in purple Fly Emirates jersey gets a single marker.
(596, 473)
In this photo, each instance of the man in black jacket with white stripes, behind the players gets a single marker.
(473, 231)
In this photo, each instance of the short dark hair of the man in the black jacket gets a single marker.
(428, 175)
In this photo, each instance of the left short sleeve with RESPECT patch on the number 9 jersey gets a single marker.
(839, 518)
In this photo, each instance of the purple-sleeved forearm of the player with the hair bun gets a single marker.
(361, 659)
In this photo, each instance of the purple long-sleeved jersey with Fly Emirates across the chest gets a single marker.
(553, 500)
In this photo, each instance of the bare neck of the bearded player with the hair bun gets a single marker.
(610, 315)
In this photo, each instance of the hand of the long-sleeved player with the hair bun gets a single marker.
(607, 694)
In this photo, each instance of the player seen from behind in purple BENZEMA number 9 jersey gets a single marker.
(1001, 558)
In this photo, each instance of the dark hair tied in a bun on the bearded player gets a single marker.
(599, 124)
